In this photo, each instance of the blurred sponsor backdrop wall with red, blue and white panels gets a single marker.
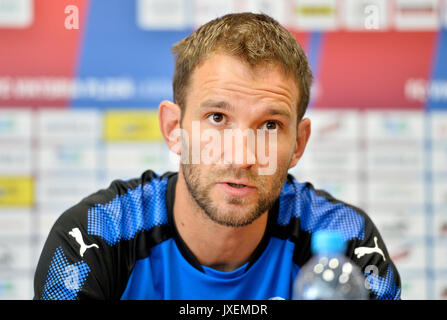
(80, 82)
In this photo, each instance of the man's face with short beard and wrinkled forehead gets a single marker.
(226, 95)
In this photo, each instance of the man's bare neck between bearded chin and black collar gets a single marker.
(217, 246)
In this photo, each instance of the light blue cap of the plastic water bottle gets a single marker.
(328, 242)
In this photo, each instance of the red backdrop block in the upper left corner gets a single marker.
(44, 51)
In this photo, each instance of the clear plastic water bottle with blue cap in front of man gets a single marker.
(329, 274)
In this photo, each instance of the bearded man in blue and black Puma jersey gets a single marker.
(225, 226)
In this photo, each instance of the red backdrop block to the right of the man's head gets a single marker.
(363, 70)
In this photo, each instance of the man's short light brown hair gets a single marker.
(254, 38)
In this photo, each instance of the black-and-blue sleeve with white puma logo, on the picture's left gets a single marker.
(73, 264)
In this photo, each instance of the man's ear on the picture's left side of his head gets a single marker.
(169, 115)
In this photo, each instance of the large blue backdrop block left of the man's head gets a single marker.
(121, 65)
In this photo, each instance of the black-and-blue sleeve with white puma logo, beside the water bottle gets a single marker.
(371, 255)
